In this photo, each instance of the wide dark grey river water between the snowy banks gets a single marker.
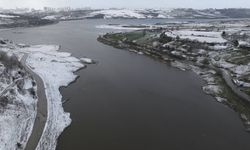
(131, 102)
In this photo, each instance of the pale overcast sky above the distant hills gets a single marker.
(127, 3)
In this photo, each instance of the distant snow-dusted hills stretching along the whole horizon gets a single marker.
(10, 16)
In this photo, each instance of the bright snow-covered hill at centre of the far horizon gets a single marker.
(155, 13)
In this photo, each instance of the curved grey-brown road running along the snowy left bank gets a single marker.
(42, 111)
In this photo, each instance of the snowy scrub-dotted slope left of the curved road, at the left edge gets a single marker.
(17, 115)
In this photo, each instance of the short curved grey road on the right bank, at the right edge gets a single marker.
(235, 88)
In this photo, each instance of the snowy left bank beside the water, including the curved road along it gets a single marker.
(56, 69)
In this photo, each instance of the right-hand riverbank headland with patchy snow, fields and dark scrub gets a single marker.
(205, 48)
